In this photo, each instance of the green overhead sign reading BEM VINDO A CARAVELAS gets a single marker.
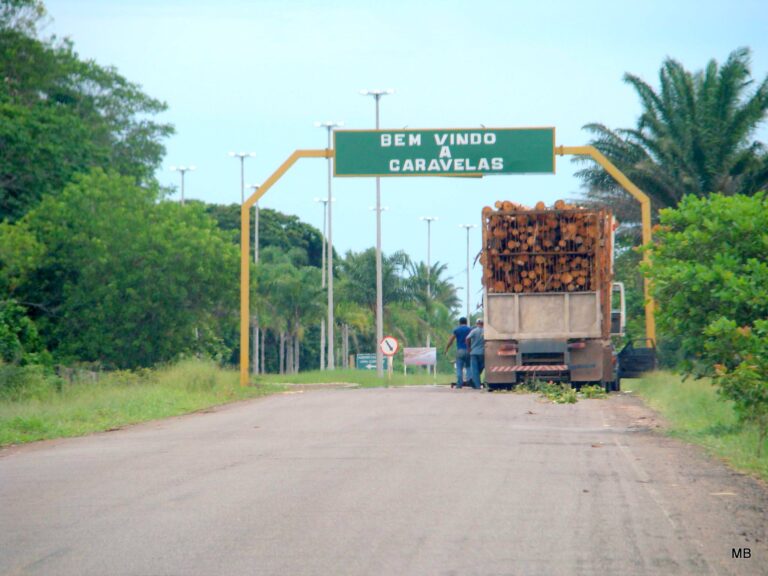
(444, 152)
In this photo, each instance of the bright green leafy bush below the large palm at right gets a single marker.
(710, 260)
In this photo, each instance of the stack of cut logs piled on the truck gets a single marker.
(542, 249)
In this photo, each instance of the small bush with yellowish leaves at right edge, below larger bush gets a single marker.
(740, 357)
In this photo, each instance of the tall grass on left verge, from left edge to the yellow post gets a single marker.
(54, 408)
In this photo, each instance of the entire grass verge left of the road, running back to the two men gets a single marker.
(42, 406)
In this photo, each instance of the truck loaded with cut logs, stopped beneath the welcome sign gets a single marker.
(550, 303)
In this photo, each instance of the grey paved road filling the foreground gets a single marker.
(414, 481)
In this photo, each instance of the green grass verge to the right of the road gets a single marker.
(697, 414)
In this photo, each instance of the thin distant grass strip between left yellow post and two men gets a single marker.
(361, 378)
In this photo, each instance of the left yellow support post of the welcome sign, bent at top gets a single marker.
(245, 249)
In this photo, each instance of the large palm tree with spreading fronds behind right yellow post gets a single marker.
(694, 136)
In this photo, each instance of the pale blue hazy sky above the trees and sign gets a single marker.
(254, 76)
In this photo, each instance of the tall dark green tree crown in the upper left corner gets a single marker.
(60, 116)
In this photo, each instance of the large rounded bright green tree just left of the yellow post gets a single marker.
(128, 281)
